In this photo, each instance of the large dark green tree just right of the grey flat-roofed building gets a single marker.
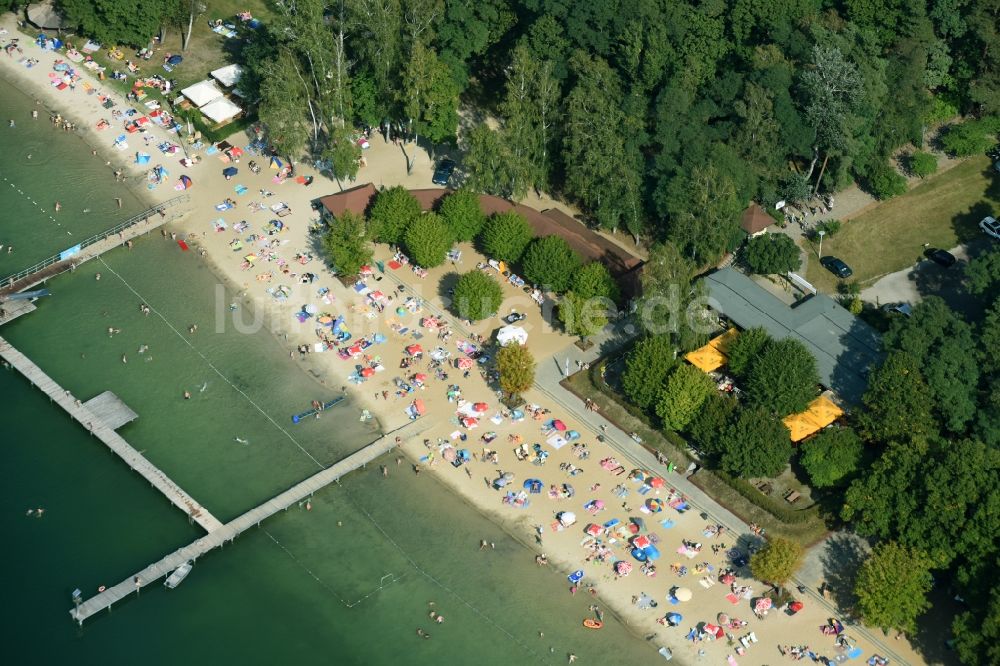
(898, 403)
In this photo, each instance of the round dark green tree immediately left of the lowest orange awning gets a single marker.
(756, 445)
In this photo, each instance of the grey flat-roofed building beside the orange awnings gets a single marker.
(845, 347)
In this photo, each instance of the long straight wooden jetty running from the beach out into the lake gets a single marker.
(228, 532)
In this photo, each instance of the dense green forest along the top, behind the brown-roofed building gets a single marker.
(656, 117)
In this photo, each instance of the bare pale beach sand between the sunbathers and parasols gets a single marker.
(386, 165)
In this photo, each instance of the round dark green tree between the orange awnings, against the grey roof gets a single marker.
(783, 378)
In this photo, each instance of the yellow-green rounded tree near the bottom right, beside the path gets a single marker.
(892, 587)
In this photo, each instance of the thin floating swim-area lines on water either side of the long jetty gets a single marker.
(399, 548)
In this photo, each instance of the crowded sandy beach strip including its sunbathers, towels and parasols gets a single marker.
(528, 469)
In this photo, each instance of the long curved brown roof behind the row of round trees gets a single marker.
(590, 245)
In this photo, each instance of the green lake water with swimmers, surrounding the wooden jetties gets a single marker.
(347, 582)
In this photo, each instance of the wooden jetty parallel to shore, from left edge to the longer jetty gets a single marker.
(103, 431)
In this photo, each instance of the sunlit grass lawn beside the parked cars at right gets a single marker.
(943, 212)
